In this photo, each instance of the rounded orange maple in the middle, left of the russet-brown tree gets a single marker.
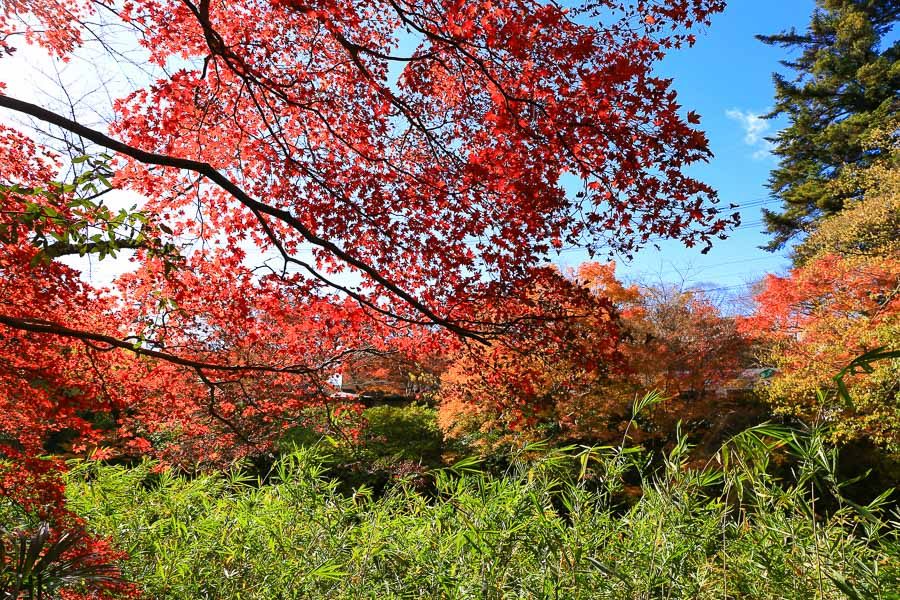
(544, 374)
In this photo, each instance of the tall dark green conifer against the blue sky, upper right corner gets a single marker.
(845, 87)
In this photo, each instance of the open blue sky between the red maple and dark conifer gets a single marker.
(727, 78)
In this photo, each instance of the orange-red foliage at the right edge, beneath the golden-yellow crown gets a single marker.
(813, 322)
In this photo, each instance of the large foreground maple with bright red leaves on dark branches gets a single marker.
(382, 201)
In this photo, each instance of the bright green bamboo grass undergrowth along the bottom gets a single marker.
(555, 524)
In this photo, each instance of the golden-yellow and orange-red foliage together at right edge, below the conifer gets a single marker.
(840, 301)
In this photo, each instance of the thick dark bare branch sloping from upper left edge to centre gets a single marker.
(217, 177)
